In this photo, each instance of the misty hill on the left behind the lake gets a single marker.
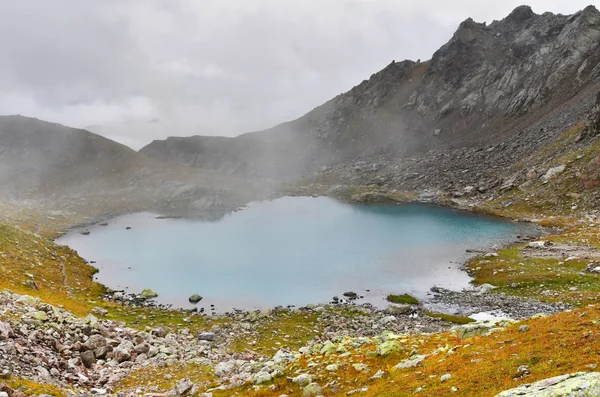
(53, 164)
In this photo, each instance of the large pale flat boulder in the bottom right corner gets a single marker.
(579, 384)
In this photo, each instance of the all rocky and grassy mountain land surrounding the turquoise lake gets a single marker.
(504, 119)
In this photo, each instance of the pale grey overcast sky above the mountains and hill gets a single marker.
(138, 70)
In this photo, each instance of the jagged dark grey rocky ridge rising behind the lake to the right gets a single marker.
(488, 83)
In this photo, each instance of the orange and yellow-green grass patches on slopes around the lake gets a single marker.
(482, 366)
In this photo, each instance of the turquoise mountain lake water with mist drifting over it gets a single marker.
(290, 251)
